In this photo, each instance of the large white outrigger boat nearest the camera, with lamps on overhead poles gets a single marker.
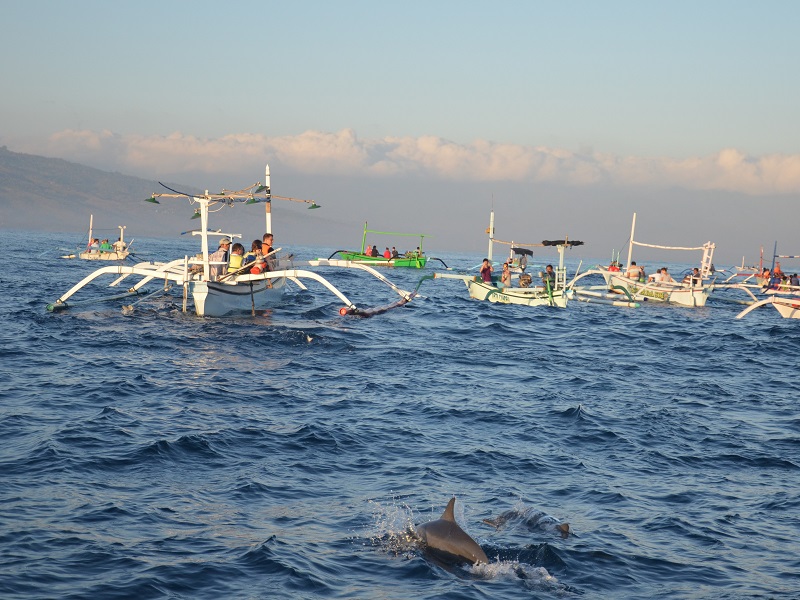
(234, 292)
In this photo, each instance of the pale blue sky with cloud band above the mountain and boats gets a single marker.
(570, 114)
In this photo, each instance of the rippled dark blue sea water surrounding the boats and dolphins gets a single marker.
(149, 453)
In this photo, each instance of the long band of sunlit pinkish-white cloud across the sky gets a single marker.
(343, 153)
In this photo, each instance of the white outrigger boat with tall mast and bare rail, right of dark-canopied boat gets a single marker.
(693, 291)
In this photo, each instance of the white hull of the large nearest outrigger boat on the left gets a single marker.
(218, 299)
